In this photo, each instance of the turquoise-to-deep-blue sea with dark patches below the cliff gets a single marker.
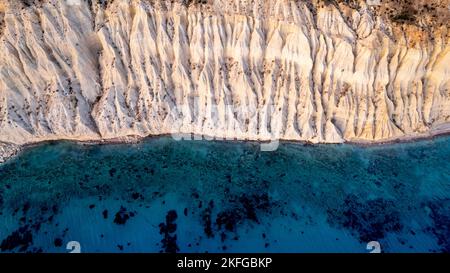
(163, 195)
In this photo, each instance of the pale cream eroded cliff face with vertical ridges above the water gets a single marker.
(255, 69)
